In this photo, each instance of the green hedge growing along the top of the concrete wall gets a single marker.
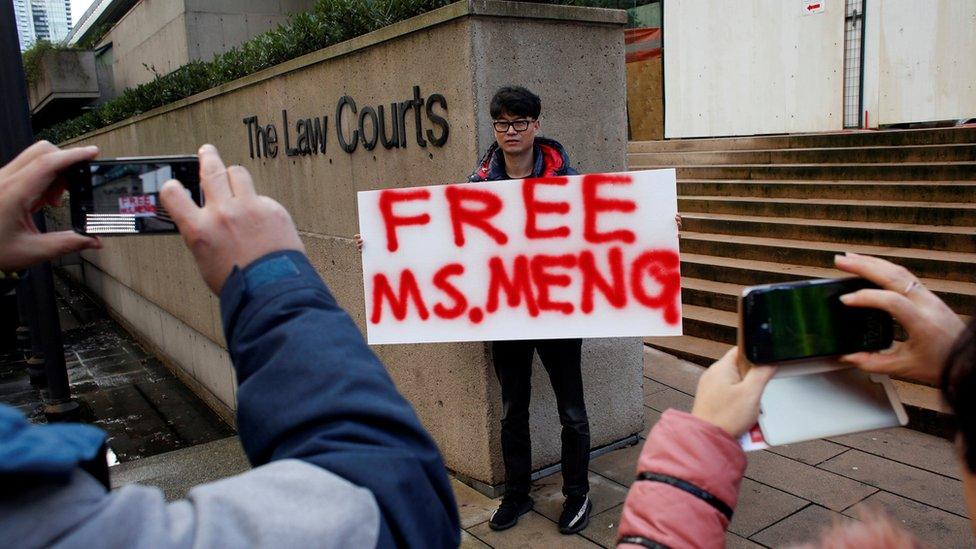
(328, 23)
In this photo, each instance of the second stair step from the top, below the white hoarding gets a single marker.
(917, 153)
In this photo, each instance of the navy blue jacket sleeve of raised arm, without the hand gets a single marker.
(311, 389)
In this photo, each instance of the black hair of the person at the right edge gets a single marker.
(959, 389)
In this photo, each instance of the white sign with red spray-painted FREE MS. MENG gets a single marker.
(557, 257)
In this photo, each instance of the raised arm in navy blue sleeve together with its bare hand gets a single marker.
(309, 387)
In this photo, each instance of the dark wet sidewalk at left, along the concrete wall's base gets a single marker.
(123, 389)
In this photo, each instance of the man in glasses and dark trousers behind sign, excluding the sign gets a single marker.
(518, 154)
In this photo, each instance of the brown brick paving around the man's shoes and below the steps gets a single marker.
(789, 494)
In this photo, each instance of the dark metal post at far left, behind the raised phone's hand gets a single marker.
(15, 136)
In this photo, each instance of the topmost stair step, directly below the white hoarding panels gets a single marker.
(859, 138)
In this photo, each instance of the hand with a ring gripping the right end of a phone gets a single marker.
(932, 327)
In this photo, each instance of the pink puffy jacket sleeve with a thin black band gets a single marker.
(704, 460)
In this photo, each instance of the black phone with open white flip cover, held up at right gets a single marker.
(808, 324)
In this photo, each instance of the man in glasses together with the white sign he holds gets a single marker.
(535, 264)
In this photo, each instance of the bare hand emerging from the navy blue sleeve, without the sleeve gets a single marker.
(235, 226)
